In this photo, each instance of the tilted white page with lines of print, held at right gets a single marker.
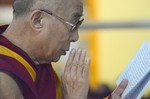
(136, 70)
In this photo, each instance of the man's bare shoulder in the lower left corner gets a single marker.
(9, 88)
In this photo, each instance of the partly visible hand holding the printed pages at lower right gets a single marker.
(116, 94)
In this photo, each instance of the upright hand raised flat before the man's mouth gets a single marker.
(75, 77)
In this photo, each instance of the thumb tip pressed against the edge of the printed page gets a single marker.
(119, 90)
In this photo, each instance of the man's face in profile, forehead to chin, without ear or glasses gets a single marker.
(57, 35)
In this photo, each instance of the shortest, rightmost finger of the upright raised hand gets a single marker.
(86, 68)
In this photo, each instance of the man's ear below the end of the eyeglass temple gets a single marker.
(36, 20)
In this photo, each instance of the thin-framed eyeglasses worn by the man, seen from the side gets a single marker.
(74, 27)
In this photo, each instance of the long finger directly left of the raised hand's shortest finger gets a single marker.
(81, 63)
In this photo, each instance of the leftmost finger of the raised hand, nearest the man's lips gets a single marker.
(69, 61)
